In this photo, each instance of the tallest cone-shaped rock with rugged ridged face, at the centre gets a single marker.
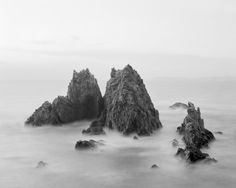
(127, 105)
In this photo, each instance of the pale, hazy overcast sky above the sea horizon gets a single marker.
(47, 39)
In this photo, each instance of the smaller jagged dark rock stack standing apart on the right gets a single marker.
(195, 136)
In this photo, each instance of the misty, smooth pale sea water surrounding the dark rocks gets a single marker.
(122, 162)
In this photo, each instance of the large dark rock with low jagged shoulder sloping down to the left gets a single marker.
(83, 101)
